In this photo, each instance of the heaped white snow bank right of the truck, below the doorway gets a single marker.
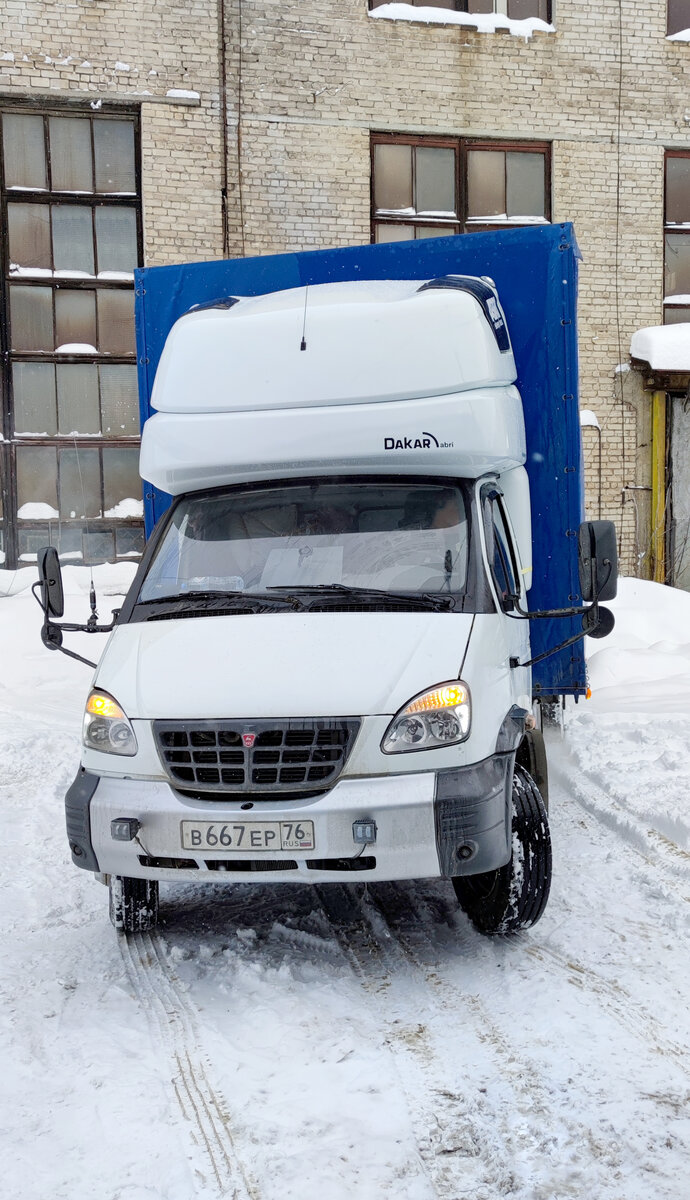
(645, 664)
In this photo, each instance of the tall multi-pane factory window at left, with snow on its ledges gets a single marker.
(71, 214)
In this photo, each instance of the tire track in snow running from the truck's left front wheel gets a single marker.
(175, 1023)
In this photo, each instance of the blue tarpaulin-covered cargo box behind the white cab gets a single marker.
(536, 273)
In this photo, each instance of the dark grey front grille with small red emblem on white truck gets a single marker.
(286, 755)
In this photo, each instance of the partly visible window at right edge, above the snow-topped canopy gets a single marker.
(677, 238)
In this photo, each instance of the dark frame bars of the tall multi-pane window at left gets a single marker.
(13, 440)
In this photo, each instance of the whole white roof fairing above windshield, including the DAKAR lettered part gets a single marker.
(395, 377)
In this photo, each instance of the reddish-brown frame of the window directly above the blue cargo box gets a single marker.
(461, 225)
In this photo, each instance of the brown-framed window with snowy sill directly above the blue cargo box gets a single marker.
(429, 188)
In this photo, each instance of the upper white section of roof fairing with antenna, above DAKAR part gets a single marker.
(365, 343)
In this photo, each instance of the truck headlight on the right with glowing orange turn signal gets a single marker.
(437, 718)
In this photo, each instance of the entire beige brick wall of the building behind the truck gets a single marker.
(315, 79)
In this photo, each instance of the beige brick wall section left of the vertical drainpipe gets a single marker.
(136, 52)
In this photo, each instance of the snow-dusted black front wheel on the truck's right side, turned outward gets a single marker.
(515, 896)
